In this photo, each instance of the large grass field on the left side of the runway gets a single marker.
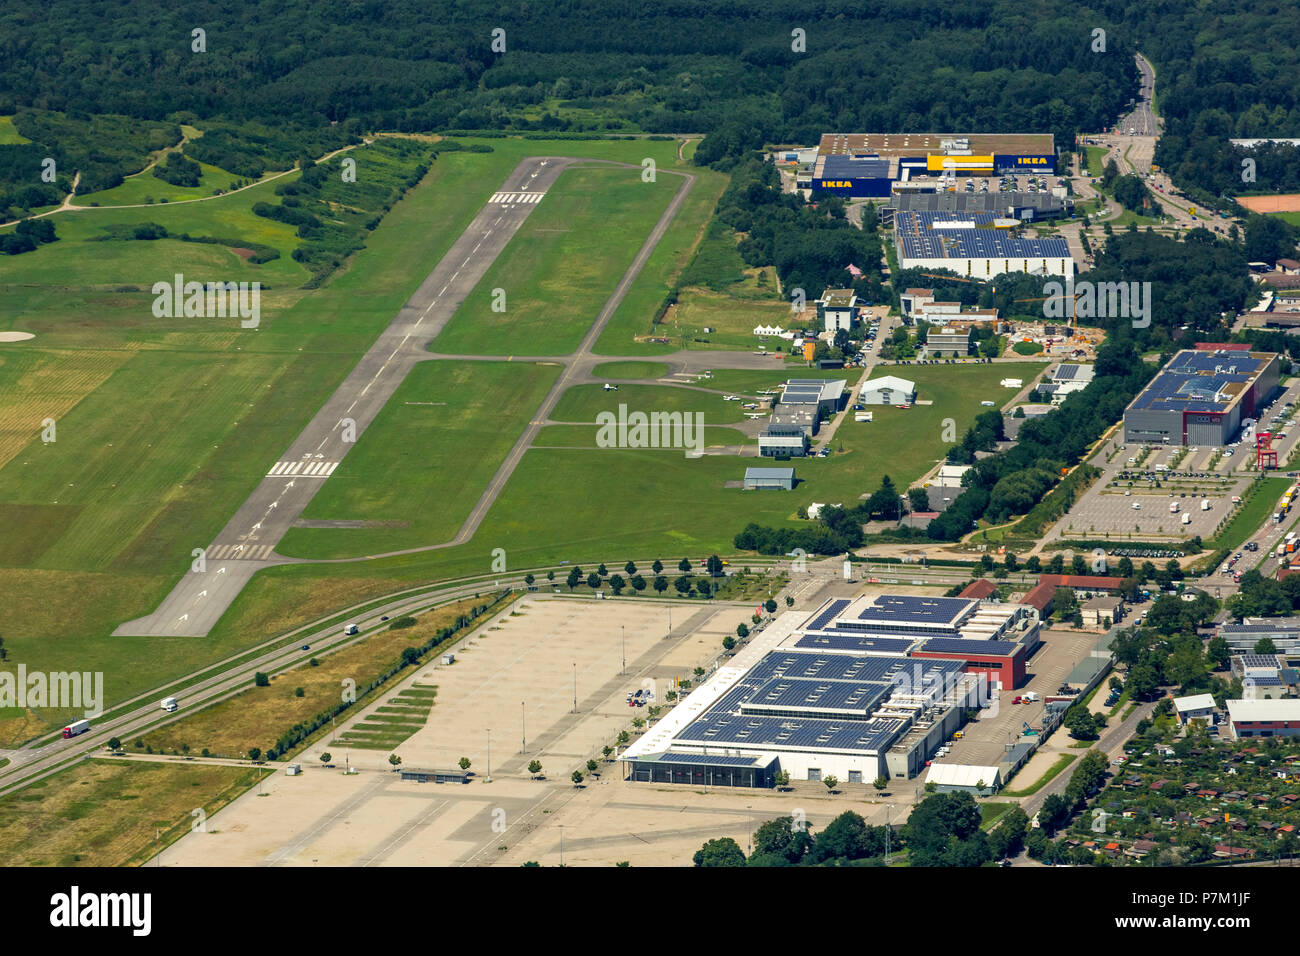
(164, 426)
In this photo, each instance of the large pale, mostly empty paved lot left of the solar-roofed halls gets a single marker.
(514, 676)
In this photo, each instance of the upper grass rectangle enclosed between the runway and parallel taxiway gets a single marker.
(561, 267)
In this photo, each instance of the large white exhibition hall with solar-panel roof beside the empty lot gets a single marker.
(859, 690)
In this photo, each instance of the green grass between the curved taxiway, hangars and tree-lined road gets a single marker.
(643, 504)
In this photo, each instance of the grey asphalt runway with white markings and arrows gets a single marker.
(248, 543)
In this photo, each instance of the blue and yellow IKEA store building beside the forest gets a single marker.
(869, 165)
